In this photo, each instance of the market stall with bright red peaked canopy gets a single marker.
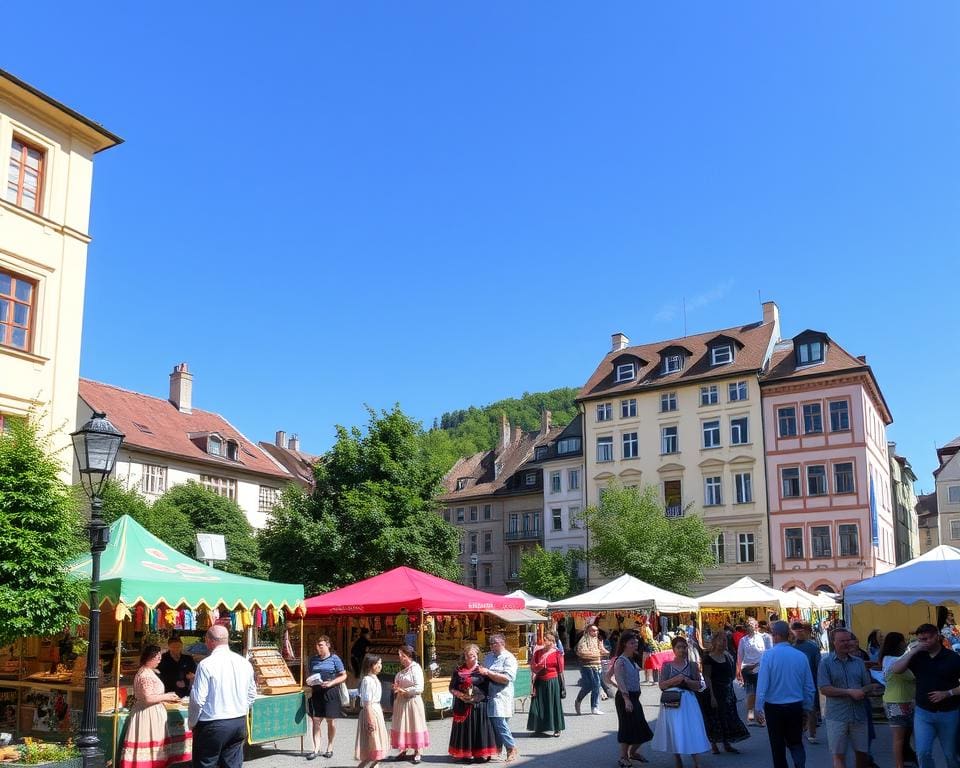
(435, 616)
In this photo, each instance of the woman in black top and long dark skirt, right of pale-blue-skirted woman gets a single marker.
(719, 701)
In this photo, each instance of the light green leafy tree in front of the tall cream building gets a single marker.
(630, 533)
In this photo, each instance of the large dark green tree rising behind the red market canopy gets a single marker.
(372, 510)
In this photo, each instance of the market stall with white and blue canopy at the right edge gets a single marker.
(920, 591)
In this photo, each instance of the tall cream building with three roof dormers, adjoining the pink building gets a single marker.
(684, 415)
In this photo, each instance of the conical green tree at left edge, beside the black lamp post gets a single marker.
(41, 530)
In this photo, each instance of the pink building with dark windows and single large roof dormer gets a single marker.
(828, 472)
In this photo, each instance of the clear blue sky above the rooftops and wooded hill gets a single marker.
(443, 204)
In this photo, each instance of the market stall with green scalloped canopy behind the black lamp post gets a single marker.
(149, 591)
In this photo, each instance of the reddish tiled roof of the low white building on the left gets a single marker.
(154, 424)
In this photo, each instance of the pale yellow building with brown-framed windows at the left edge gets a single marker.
(44, 222)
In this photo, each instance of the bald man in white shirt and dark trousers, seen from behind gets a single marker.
(222, 692)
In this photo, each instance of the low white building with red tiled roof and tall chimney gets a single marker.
(168, 442)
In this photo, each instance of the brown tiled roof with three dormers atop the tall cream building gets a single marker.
(755, 339)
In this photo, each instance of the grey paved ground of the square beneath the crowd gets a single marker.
(589, 740)
